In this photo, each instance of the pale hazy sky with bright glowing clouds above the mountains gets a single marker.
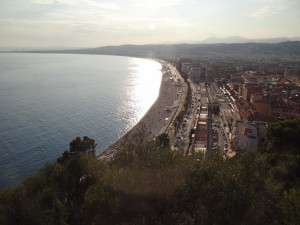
(93, 23)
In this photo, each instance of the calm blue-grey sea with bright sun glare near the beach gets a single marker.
(46, 100)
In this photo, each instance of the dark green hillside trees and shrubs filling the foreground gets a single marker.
(150, 184)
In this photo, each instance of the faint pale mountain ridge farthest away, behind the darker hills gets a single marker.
(237, 39)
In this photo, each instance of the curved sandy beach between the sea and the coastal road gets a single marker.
(157, 119)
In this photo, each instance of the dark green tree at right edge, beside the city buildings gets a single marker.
(283, 146)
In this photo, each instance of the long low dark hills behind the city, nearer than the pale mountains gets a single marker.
(256, 51)
